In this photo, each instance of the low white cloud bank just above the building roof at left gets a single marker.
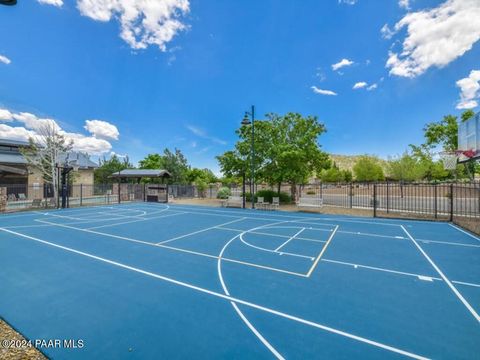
(31, 125)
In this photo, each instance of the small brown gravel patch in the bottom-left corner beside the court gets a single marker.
(11, 345)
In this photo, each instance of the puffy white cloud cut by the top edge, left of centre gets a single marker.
(142, 22)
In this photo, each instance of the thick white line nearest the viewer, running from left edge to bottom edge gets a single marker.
(226, 297)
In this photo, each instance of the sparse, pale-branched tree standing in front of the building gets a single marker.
(44, 150)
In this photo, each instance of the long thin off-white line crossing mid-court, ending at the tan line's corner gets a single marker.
(176, 249)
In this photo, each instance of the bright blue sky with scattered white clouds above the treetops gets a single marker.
(184, 75)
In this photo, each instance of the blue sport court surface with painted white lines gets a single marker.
(151, 281)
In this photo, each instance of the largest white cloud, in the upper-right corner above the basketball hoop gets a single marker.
(435, 37)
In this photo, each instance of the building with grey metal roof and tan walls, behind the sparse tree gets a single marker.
(20, 178)
